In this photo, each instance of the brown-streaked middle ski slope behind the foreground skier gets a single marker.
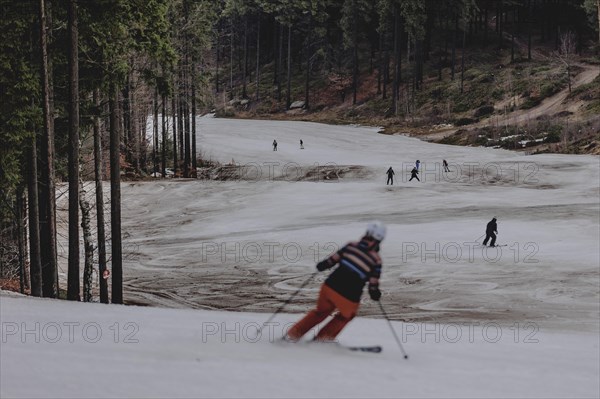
(181, 236)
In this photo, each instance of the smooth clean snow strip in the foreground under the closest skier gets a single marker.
(93, 350)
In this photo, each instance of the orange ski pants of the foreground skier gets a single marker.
(329, 301)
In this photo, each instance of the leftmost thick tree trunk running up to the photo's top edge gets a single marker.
(47, 203)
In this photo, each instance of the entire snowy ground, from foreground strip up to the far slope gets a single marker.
(518, 321)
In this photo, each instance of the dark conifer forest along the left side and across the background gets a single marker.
(81, 82)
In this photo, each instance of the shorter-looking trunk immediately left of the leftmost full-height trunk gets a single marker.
(35, 265)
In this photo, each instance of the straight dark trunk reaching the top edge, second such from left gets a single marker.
(73, 285)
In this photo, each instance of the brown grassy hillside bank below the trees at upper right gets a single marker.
(520, 104)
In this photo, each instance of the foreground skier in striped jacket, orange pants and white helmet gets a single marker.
(359, 264)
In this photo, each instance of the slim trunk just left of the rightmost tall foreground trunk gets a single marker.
(98, 173)
